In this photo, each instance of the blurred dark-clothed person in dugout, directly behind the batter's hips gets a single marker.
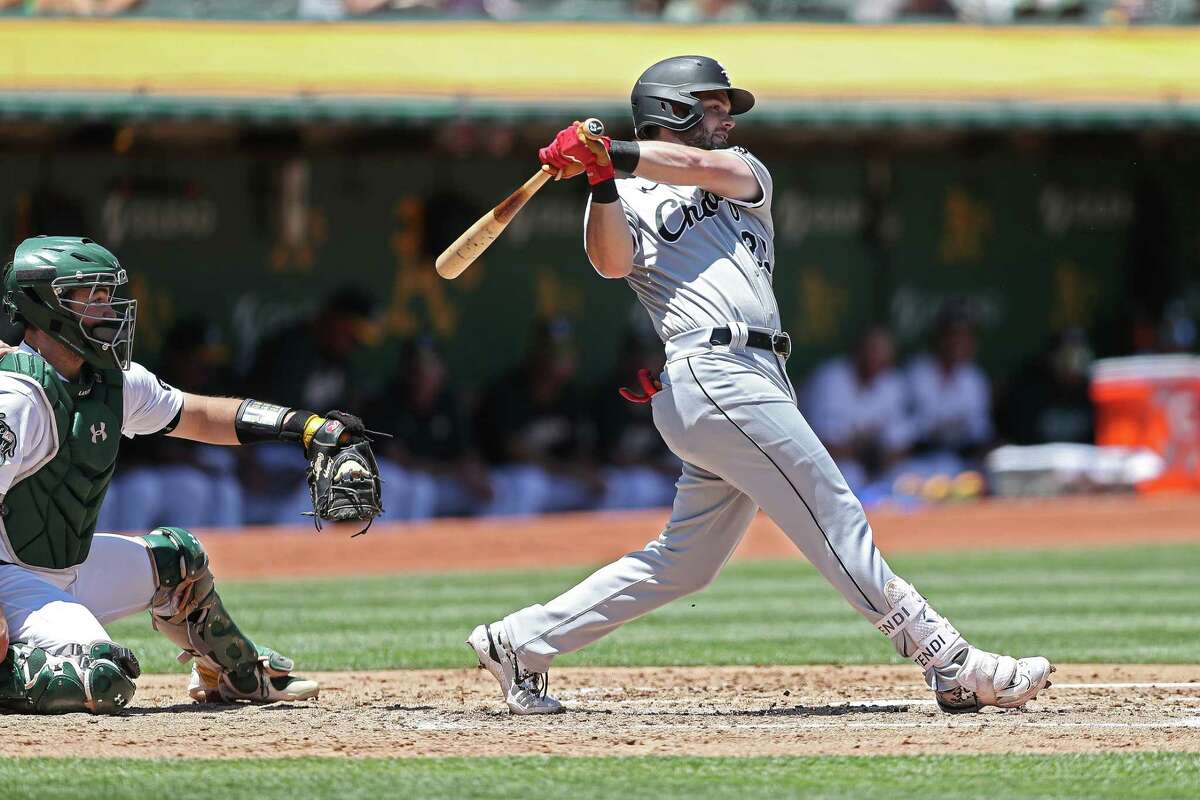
(637, 467)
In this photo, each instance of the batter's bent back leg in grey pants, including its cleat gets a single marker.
(707, 522)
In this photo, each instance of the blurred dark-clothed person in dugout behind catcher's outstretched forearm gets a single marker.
(314, 362)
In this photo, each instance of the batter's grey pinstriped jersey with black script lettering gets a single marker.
(701, 261)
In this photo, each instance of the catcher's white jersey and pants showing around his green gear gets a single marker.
(57, 609)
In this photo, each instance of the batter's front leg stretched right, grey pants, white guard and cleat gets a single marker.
(769, 452)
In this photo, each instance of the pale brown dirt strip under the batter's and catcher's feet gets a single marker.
(697, 712)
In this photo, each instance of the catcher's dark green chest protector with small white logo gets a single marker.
(50, 516)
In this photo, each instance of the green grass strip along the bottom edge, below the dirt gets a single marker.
(1127, 775)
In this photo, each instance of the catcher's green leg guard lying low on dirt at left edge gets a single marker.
(97, 678)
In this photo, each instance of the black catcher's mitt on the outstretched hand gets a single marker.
(344, 477)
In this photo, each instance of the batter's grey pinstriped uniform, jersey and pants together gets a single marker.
(704, 262)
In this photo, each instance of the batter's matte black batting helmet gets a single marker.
(674, 83)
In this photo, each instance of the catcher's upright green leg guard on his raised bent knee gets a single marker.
(188, 610)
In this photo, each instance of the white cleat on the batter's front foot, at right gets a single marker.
(991, 679)
